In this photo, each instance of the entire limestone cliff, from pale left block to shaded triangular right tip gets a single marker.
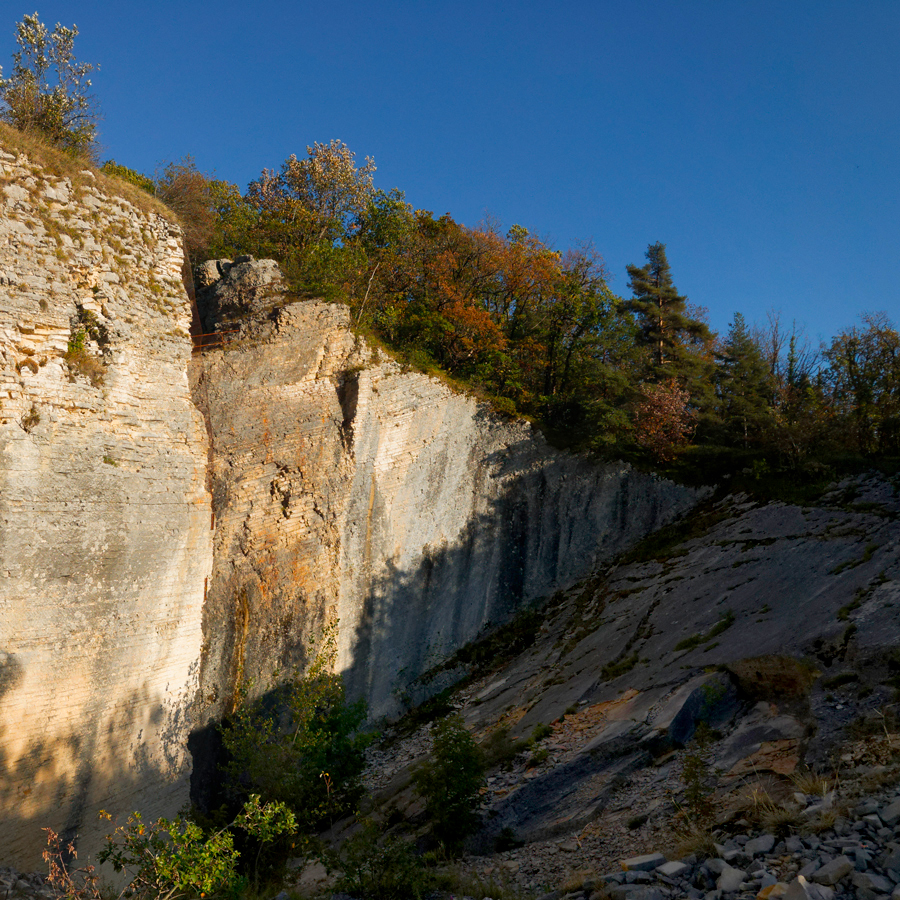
(149, 559)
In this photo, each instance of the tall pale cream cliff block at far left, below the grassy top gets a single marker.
(105, 537)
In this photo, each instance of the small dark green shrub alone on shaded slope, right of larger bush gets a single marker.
(450, 782)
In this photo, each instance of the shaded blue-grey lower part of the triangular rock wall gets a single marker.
(551, 523)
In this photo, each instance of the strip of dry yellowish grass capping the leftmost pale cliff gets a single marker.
(67, 165)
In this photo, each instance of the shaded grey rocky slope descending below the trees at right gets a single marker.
(776, 625)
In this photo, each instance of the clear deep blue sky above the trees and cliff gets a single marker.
(759, 141)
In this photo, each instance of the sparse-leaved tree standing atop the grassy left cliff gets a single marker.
(47, 91)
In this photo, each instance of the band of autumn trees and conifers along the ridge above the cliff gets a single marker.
(539, 332)
